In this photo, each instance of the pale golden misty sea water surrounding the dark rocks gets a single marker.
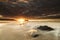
(17, 31)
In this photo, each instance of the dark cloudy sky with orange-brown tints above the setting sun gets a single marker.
(30, 8)
